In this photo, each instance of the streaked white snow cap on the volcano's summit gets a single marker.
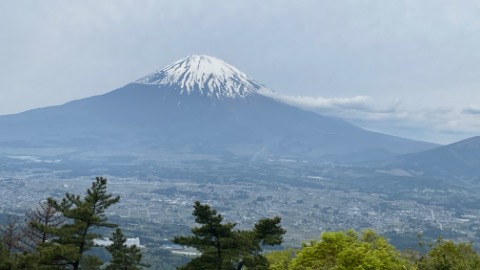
(206, 75)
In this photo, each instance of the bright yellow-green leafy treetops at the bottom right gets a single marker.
(349, 250)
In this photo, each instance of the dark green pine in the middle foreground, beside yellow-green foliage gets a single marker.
(222, 247)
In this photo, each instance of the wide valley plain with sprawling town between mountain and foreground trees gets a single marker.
(310, 197)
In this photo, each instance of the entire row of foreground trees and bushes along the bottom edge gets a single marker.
(60, 233)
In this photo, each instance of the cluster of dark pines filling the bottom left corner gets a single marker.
(60, 234)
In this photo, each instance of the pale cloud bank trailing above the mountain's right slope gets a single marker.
(440, 124)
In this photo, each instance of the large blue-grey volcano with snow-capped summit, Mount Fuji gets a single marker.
(196, 106)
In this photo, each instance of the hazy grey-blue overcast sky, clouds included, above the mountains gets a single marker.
(401, 67)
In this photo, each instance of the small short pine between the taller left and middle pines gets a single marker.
(123, 257)
